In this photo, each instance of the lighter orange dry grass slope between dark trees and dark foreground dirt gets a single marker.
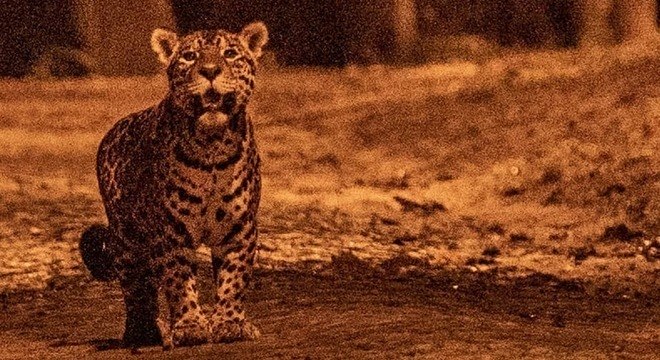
(535, 155)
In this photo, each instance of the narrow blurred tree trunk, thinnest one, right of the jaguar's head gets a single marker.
(404, 18)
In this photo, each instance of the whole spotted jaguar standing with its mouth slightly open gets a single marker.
(180, 174)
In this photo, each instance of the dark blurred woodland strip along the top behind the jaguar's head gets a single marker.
(303, 32)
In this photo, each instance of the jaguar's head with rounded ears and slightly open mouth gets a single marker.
(211, 73)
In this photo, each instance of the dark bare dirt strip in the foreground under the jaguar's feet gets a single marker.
(329, 315)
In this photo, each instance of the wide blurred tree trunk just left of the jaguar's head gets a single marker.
(116, 33)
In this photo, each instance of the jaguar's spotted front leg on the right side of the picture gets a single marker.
(232, 270)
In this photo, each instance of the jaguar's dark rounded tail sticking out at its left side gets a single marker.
(96, 254)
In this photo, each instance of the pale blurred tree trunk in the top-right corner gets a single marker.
(636, 19)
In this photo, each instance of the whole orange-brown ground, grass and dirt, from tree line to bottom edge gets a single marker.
(509, 209)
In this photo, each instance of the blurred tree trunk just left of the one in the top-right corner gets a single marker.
(596, 24)
